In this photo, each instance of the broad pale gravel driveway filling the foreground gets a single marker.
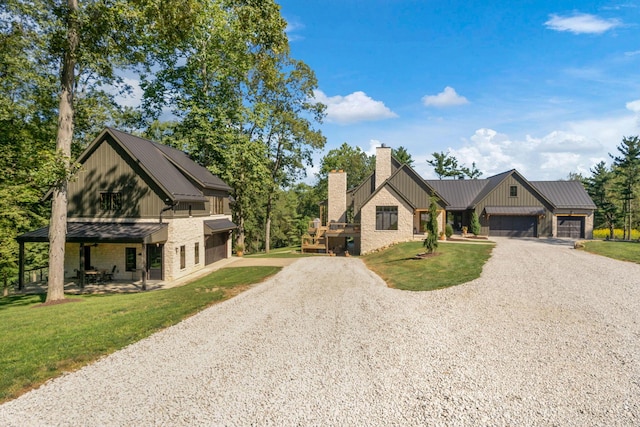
(547, 336)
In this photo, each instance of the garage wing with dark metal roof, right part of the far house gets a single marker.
(509, 205)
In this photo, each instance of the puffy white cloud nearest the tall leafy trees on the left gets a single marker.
(353, 108)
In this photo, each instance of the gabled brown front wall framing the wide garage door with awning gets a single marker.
(527, 196)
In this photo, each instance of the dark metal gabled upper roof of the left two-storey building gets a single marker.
(169, 168)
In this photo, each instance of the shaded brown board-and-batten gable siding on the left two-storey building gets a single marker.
(109, 169)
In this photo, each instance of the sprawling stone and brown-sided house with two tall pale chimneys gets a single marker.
(392, 205)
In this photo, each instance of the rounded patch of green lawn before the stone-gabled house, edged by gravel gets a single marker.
(455, 263)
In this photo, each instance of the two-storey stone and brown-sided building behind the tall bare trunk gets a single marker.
(138, 209)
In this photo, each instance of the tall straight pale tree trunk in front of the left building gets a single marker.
(58, 225)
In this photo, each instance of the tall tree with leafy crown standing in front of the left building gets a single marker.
(83, 44)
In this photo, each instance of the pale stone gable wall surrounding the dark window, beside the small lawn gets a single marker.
(372, 239)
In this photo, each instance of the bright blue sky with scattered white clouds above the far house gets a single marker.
(546, 87)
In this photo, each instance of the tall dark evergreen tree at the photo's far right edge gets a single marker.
(627, 168)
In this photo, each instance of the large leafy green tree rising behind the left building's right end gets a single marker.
(244, 107)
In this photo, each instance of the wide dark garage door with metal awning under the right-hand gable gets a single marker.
(513, 221)
